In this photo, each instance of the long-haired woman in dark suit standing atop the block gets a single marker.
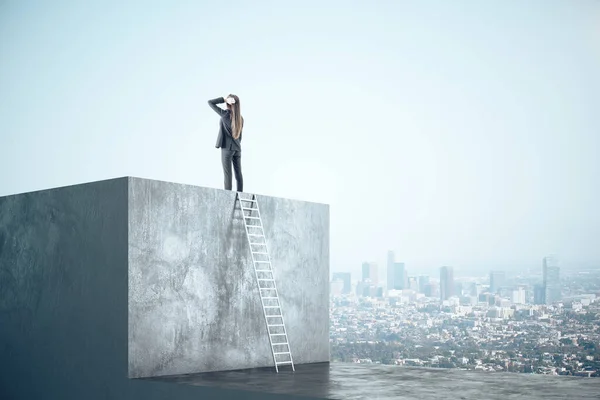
(230, 138)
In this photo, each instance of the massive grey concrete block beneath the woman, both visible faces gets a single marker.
(79, 284)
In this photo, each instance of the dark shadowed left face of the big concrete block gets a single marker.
(63, 286)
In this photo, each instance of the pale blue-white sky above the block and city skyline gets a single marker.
(462, 133)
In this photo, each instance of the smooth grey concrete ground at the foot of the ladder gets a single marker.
(361, 381)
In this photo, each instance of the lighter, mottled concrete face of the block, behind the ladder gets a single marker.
(194, 304)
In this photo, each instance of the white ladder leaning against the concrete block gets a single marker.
(263, 270)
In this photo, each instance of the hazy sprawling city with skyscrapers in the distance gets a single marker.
(492, 323)
